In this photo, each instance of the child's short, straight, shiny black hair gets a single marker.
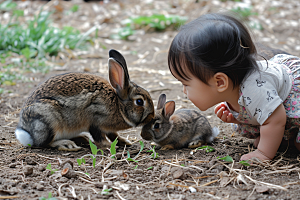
(213, 43)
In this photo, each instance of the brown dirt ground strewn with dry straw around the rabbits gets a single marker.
(175, 174)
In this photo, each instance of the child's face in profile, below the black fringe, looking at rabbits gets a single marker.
(200, 94)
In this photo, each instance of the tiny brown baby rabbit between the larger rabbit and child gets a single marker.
(184, 128)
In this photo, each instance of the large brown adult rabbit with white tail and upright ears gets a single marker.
(79, 104)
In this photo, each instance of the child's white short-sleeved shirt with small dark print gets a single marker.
(262, 92)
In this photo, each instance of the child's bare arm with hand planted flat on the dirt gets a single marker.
(271, 134)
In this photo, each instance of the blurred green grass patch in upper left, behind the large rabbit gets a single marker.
(25, 47)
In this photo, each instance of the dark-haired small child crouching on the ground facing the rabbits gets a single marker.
(214, 58)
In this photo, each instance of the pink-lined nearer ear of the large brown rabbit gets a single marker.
(118, 78)
